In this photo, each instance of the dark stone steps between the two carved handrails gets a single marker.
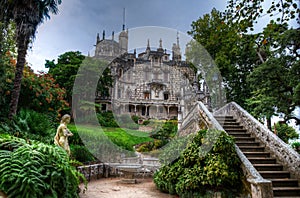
(267, 166)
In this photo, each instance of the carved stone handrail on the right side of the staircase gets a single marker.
(279, 149)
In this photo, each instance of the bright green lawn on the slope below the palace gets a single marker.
(125, 138)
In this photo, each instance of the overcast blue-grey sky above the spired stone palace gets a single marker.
(79, 21)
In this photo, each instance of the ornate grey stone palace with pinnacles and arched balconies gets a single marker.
(150, 84)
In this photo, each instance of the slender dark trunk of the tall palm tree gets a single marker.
(21, 59)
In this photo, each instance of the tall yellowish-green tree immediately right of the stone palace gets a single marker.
(233, 52)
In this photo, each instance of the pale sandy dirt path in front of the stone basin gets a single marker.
(114, 188)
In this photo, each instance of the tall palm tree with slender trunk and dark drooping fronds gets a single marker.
(27, 15)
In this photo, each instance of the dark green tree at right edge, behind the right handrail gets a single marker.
(275, 83)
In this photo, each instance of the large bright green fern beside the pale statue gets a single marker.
(36, 170)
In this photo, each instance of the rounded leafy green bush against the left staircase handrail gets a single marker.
(197, 171)
